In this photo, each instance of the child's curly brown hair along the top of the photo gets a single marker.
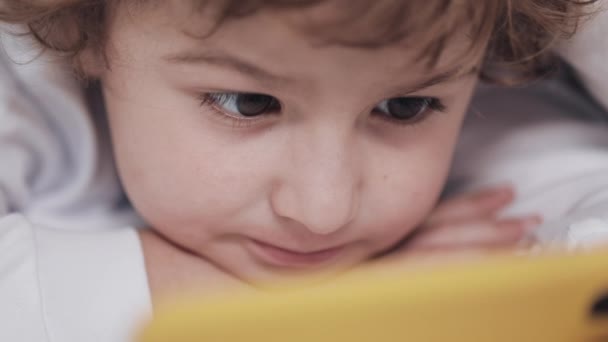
(513, 35)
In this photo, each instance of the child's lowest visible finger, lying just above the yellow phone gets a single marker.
(477, 234)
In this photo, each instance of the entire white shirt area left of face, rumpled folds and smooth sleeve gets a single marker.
(71, 268)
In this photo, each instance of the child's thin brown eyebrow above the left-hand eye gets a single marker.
(222, 59)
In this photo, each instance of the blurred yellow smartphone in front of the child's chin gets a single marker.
(561, 297)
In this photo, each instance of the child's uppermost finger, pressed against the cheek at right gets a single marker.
(475, 206)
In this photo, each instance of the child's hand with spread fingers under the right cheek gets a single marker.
(470, 223)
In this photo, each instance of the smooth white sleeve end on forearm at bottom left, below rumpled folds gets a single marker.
(72, 285)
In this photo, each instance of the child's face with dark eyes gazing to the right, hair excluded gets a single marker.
(320, 174)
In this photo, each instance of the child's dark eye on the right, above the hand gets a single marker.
(408, 109)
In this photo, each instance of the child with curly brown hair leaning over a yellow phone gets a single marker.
(259, 140)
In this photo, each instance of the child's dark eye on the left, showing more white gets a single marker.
(242, 104)
